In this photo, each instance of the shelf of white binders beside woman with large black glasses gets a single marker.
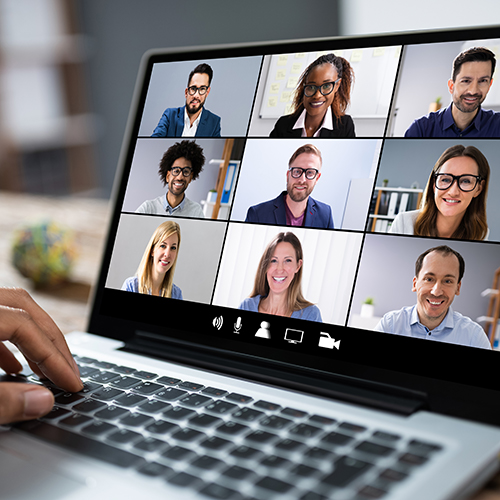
(389, 202)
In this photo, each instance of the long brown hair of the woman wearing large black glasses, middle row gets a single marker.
(473, 225)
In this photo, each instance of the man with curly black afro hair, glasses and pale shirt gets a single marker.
(181, 164)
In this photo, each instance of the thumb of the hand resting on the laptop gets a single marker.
(23, 402)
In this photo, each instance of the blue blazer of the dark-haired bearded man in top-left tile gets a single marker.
(171, 124)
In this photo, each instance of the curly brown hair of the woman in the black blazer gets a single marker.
(342, 96)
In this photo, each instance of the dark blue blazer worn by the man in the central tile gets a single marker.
(273, 212)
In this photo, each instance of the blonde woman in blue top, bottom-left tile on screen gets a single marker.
(155, 275)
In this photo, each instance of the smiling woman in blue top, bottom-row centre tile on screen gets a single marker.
(278, 281)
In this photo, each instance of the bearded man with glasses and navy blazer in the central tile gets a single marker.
(295, 206)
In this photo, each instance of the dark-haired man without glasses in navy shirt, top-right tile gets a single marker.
(469, 85)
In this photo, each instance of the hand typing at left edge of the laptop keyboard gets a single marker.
(24, 323)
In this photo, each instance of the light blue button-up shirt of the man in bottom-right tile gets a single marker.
(455, 328)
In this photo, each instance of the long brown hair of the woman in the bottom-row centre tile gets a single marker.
(295, 299)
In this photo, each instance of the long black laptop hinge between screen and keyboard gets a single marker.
(333, 386)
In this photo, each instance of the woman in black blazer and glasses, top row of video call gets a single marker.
(320, 101)
